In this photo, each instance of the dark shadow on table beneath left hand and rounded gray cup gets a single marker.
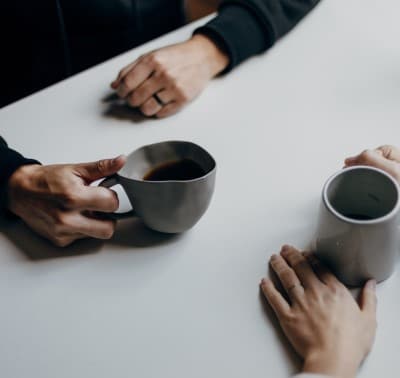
(130, 233)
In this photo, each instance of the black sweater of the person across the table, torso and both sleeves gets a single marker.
(58, 38)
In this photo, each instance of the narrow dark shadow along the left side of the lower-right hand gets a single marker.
(270, 317)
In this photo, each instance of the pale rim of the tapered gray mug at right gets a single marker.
(391, 214)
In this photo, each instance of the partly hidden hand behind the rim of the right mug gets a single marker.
(386, 158)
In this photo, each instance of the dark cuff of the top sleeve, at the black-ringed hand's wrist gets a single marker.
(236, 31)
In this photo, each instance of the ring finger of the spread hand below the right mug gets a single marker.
(287, 277)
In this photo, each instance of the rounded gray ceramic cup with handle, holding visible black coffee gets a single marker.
(172, 206)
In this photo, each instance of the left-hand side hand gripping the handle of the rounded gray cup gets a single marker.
(57, 202)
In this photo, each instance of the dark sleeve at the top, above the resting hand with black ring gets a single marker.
(244, 28)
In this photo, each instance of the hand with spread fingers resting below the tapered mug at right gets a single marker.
(322, 321)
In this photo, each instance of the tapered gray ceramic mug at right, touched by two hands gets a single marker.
(357, 233)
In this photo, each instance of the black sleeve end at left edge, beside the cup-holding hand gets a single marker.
(10, 161)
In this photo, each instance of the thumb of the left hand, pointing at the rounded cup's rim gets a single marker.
(101, 168)
